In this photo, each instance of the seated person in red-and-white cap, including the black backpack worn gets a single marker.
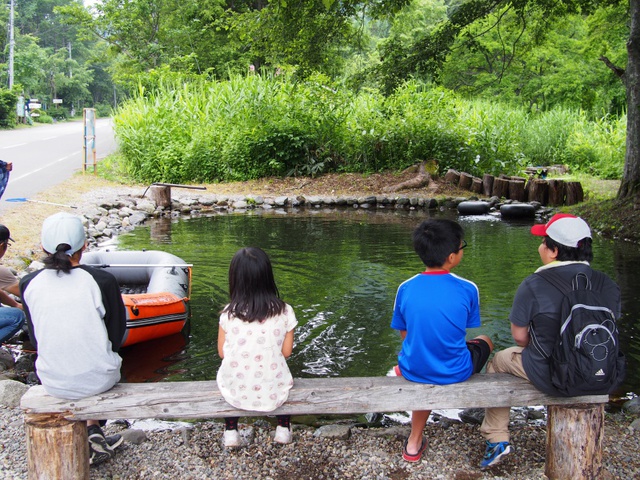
(563, 320)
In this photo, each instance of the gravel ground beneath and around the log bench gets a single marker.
(194, 451)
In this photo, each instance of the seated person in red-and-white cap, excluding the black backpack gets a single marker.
(535, 319)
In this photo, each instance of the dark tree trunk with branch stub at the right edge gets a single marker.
(630, 186)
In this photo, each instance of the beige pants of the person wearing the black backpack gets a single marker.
(495, 426)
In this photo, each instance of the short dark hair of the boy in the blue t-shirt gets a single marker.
(435, 239)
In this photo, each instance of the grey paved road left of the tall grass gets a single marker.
(46, 155)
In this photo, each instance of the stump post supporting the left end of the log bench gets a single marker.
(56, 448)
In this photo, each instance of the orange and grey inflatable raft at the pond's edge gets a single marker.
(156, 290)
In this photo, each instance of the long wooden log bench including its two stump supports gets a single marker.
(57, 435)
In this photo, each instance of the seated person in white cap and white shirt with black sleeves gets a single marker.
(76, 322)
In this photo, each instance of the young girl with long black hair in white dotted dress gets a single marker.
(255, 337)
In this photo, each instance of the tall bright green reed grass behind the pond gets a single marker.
(197, 130)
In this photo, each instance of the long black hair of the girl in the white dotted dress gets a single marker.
(252, 287)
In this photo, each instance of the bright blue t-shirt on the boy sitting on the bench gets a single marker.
(435, 309)
